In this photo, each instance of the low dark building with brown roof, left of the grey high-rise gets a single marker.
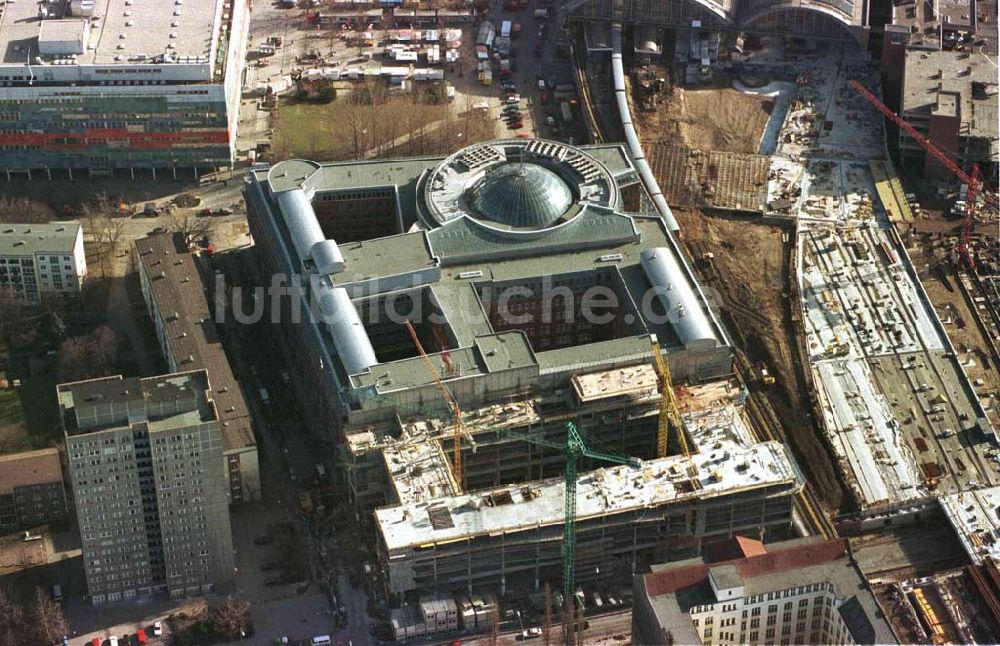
(31, 490)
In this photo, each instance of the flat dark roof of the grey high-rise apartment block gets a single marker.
(163, 402)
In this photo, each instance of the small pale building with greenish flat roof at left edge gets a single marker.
(38, 260)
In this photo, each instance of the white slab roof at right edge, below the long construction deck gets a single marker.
(975, 515)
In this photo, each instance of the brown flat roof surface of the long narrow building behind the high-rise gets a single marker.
(180, 295)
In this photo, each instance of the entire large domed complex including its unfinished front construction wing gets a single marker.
(487, 299)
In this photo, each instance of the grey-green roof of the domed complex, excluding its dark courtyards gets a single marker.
(487, 218)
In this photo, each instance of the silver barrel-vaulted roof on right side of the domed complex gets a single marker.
(674, 291)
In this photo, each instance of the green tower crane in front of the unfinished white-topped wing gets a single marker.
(574, 448)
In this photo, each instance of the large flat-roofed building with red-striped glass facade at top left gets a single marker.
(109, 85)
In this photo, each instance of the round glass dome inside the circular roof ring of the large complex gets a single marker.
(522, 195)
